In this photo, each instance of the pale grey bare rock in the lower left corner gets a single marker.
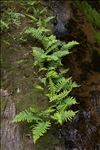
(10, 133)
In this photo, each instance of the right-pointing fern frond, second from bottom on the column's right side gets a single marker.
(68, 102)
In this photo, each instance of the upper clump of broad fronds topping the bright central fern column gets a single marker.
(51, 52)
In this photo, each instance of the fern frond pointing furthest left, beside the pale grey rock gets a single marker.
(26, 116)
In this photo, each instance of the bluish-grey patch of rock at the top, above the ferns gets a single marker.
(62, 12)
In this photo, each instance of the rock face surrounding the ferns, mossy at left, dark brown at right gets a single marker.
(83, 133)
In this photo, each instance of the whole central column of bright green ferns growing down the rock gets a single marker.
(48, 59)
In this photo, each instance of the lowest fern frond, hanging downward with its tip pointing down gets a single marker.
(40, 129)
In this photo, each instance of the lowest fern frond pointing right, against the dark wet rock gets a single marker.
(62, 116)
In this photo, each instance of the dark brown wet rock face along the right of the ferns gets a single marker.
(83, 133)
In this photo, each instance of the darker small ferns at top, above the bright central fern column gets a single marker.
(40, 12)
